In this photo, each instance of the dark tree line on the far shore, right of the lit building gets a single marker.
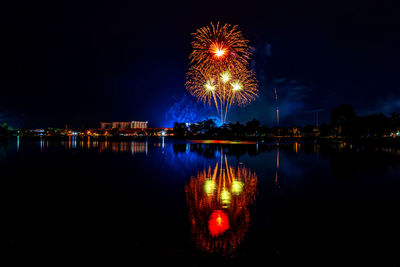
(344, 123)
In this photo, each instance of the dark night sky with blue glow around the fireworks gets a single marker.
(82, 62)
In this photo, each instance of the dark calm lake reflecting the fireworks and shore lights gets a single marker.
(200, 202)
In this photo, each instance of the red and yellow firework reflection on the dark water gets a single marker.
(219, 200)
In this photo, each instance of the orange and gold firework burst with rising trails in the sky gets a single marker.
(219, 71)
